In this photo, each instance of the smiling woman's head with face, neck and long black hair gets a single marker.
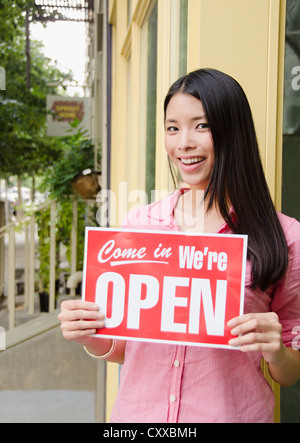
(231, 173)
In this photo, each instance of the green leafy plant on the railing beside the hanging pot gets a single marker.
(77, 155)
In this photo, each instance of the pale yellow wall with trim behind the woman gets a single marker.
(244, 38)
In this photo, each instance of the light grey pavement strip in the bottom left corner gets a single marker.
(53, 406)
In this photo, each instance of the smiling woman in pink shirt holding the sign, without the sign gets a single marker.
(210, 138)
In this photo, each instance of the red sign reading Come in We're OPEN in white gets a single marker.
(165, 286)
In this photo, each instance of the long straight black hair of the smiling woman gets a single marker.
(238, 173)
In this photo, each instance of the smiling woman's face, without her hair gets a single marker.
(188, 140)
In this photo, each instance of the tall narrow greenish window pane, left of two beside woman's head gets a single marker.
(151, 102)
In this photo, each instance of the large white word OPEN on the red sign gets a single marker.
(200, 293)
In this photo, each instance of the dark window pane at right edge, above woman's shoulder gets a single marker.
(291, 117)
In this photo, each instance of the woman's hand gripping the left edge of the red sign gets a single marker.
(79, 320)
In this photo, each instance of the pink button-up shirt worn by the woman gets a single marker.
(162, 383)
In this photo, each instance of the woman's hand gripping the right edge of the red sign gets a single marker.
(259, 332)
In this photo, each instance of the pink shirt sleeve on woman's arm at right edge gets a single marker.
(286, 298)
